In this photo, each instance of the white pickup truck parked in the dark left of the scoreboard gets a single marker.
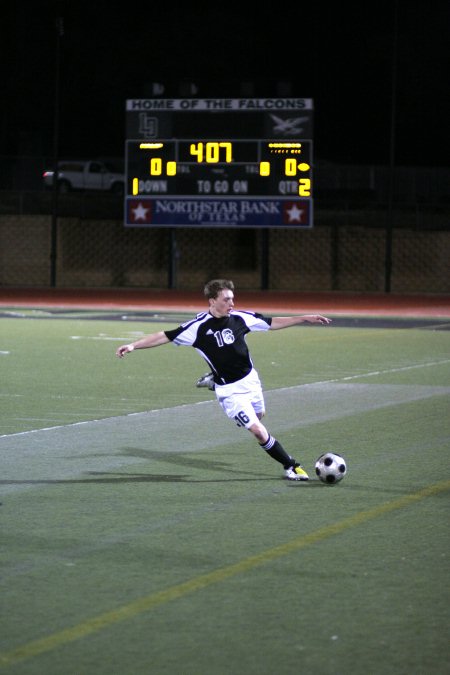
(91, 175)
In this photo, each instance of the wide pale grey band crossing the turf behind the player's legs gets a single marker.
(55, 454)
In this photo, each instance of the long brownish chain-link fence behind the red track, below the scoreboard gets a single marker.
(345, 251)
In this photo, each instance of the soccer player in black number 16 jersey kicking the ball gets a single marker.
(219, 337)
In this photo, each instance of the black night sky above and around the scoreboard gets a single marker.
(341, 57)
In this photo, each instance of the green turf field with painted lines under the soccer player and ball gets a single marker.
(142, 533)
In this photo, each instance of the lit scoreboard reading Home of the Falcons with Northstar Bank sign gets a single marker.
(219, 163)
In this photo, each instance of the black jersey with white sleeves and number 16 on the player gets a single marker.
(221, 341)
